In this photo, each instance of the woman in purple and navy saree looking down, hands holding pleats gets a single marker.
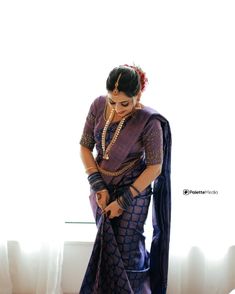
(133, 144)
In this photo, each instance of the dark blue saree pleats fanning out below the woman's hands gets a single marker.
(105, 265)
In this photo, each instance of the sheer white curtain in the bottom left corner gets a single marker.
(31, 266)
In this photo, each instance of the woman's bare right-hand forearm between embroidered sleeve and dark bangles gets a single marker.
(146, 177)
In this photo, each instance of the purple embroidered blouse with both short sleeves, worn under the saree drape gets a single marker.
(150, 142)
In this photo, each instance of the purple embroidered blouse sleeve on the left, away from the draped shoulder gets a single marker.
(87, 139)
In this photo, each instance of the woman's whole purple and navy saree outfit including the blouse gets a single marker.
(119, 261)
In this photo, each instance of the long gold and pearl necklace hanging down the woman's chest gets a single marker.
(115, 136)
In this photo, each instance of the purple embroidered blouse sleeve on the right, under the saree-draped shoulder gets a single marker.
(153, 142)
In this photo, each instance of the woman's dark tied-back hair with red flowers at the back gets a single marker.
(129, 82)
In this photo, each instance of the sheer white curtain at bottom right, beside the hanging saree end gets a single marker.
(196, 273)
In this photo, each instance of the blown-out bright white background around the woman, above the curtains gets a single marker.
(54, 61)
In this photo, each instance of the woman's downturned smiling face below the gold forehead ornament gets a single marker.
(122, 104)
